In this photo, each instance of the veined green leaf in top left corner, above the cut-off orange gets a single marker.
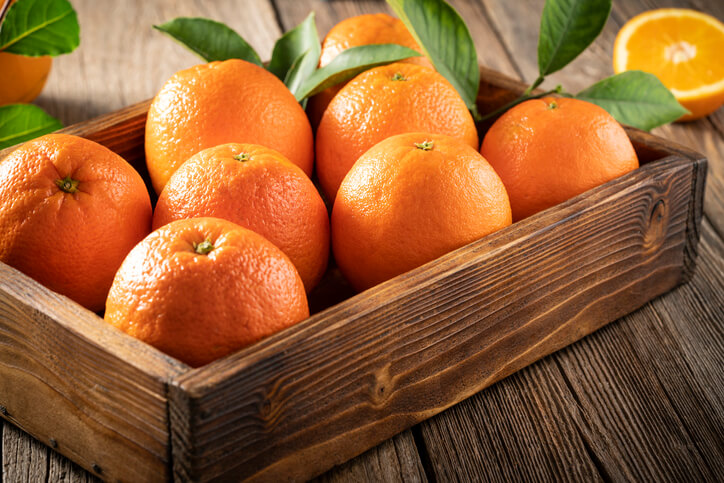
(40, 27)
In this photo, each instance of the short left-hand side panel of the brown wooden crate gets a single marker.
(80, 386)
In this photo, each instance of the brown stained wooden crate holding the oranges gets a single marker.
(363, 367)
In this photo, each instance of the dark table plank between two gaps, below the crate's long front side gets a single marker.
(520, 429)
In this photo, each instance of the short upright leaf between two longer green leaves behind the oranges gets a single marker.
(292, 45)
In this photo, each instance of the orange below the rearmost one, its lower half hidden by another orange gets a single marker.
(379, 103)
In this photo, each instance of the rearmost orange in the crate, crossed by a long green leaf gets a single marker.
(375, 28)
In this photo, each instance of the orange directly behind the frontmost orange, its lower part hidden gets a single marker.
(265, 193)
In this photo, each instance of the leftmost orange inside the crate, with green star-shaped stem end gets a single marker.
(70, 211)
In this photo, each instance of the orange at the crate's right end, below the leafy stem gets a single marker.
(549, 150)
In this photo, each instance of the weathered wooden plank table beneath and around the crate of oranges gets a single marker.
(641, 399)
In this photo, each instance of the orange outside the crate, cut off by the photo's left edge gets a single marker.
(23, 77)
